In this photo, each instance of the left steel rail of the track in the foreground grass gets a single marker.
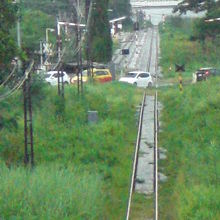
(135, 160)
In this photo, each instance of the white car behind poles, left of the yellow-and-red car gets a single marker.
(52, 77)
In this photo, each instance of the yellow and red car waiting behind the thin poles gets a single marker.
(99, 75)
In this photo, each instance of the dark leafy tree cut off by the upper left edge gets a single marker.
(8, 49)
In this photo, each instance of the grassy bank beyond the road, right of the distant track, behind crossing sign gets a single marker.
(178, 48)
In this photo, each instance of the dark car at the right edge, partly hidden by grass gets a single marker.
(204, 73)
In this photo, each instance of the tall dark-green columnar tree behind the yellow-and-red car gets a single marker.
(100, 36)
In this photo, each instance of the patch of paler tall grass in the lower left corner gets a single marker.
(50, 193)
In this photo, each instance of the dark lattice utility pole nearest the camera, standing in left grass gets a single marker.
(28, 125)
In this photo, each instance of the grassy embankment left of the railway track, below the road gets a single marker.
(82, 170)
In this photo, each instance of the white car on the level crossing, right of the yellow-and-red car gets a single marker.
(138, 78)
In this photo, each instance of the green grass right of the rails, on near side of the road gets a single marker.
(191, 135)
